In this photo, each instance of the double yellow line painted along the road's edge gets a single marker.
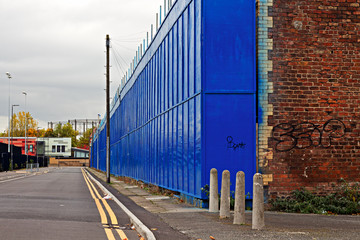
(104, 220)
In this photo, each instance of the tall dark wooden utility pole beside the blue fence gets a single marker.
(107, 109)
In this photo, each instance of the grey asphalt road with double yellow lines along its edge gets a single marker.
(59, 205)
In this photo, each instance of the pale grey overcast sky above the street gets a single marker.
(54, 50)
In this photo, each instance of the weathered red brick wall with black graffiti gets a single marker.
(316, 80)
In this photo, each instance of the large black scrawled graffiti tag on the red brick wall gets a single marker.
(306, 134)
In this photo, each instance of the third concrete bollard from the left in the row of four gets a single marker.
(239, 208)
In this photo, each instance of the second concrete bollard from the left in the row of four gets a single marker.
(225, 195)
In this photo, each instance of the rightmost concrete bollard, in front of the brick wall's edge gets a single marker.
(258, 221)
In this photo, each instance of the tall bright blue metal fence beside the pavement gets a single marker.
(189, 105)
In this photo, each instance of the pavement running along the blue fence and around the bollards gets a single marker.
(193, 223)
